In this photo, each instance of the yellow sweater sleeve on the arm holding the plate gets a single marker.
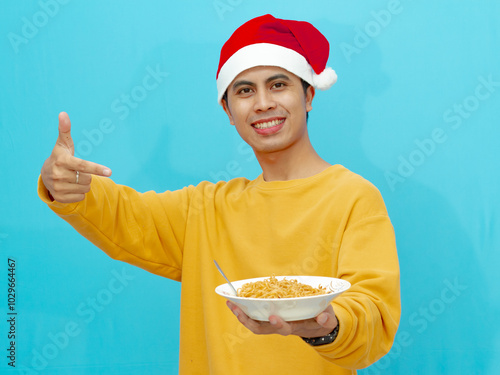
(369, 312)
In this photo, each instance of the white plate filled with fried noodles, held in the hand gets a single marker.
(289, 297)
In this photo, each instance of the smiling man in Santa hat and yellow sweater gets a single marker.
(301, 216)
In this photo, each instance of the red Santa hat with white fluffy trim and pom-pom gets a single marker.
(296, 46)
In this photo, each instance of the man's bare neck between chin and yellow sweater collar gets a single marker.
(291, 164)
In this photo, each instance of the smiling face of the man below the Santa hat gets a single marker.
(268, 106)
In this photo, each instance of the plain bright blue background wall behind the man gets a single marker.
(415, 110)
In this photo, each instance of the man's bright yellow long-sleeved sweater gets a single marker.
(332, 224)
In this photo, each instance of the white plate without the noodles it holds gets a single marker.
(289, 309)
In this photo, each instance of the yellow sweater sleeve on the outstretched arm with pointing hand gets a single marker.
(143, 229)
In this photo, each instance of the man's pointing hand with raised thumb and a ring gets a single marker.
(66, 177)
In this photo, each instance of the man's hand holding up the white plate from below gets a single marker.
(319, 326)
